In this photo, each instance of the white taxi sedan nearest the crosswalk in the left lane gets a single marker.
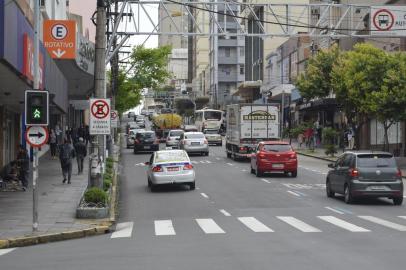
(170, 167)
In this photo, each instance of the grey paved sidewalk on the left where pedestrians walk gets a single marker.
(56, 202)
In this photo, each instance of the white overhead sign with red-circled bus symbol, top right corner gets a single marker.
(388, 20)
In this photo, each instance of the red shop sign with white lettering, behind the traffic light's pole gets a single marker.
(28, 61)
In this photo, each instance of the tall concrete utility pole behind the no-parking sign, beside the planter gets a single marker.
(98, 141)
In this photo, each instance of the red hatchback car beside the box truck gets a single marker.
(274, 156)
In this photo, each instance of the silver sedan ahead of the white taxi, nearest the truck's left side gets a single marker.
(194, 142)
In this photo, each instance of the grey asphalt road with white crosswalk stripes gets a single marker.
(234, 221)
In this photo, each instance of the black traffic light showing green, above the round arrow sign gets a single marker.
(36, 108)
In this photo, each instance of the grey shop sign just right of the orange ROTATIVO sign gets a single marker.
(85, 54)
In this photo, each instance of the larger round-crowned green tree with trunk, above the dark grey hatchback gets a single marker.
(356, 77)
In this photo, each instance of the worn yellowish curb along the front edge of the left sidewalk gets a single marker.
(53, 237)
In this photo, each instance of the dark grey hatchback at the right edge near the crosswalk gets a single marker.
(365, 174)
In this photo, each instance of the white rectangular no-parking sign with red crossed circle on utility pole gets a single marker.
(99, 116)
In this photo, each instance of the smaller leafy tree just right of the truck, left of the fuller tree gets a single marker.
(315, 82)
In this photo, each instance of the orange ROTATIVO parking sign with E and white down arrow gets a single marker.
(60, 38)
